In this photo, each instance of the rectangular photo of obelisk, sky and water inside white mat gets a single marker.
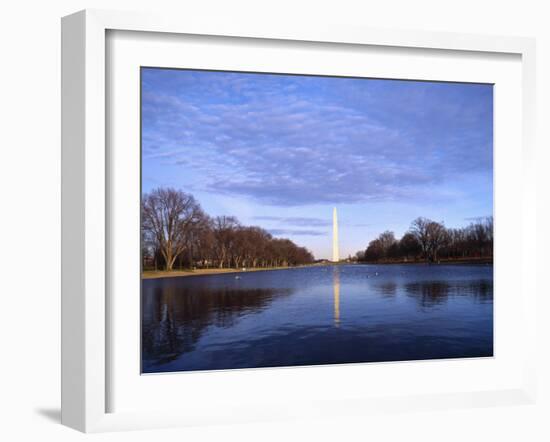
(292, 220)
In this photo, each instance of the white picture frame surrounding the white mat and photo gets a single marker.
(86, 352)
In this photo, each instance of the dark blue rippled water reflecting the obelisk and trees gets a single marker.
(317, 315)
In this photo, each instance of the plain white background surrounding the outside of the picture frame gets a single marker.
(30, 232)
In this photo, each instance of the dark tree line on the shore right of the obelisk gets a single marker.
(431, 241)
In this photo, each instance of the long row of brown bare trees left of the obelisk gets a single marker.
(177, 233)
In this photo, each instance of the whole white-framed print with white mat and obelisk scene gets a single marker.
(291, 222)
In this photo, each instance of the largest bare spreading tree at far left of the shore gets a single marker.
(168, 219)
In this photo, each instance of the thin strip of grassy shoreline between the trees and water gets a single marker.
(158, 274)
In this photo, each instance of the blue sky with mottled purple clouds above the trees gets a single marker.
(280, 151)
